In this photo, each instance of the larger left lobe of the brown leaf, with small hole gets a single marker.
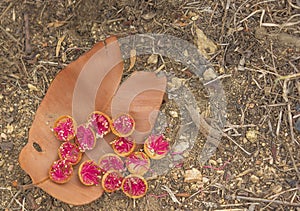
(57, 102)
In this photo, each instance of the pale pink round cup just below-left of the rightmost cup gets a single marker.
(138, 163)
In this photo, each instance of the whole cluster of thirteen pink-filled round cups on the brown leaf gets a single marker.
(111, 167)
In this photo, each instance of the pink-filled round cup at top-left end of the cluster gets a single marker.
(64, 128)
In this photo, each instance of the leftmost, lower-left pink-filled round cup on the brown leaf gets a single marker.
(61, 171)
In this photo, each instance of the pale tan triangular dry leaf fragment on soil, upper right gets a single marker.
(204, 44)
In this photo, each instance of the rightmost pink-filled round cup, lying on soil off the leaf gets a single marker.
(156, 146)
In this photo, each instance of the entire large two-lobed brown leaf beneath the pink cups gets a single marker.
(86, 85)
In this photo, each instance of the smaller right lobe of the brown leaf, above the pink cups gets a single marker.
(141, 96)
